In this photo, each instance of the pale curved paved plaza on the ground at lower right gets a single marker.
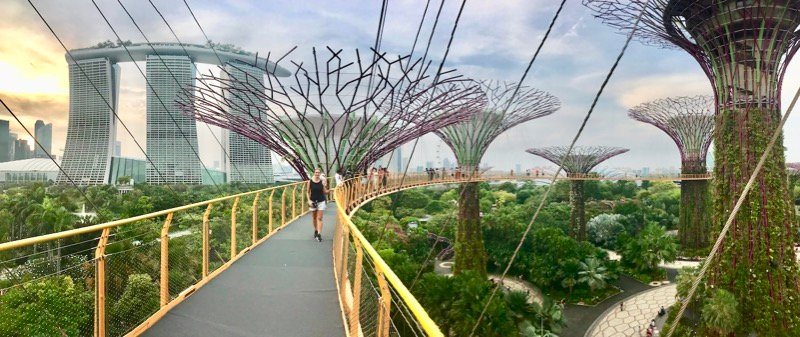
(637, 313)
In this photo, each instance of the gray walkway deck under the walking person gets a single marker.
(284, 287)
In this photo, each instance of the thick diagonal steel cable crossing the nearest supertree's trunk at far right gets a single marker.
(715, 249)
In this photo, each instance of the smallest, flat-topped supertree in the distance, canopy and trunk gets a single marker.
(579, 163)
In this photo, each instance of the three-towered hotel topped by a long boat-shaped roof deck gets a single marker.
(94, 76)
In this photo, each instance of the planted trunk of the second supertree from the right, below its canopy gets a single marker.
(694, 225)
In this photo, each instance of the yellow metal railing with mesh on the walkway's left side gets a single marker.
(189, 242)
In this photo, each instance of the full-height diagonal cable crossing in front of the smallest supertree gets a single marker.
(560, 168)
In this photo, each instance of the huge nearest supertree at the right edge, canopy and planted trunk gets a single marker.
(744, 48)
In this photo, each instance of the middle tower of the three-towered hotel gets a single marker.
(171, 135)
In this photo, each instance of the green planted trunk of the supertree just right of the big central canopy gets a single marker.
(469, 249)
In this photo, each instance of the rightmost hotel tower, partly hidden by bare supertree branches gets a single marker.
(249, 161)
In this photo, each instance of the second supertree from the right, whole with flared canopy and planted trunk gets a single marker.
(689, 121)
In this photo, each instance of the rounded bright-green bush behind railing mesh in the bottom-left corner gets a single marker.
(52, 306)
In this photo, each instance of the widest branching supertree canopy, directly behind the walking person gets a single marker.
(337, 113)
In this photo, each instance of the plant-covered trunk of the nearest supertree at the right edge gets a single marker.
(757, 261)
